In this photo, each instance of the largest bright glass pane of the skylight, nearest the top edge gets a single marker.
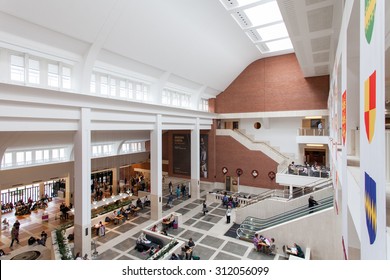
(264, 14)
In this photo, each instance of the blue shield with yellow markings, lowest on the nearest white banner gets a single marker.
(370, 206)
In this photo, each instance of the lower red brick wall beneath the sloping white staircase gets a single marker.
(233, 155)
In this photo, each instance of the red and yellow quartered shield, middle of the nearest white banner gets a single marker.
(370, 106)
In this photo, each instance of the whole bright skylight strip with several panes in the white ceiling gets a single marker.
(263, 23)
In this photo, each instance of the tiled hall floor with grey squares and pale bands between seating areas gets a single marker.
(119, 242)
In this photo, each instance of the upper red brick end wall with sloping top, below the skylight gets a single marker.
(273, 84)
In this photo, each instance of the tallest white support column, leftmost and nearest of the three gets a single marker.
(82, 188)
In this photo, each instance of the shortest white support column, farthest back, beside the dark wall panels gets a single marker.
(195, 162)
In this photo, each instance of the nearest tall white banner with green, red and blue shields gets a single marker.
(372, 137)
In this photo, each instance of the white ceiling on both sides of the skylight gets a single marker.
(198, 41)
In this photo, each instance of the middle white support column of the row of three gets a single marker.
(156, 170)
